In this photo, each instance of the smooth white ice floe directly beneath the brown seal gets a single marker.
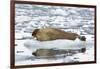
(56, 44)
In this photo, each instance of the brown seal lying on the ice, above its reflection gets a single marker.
(53, 34)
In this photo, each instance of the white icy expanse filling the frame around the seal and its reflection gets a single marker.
(71, 19)
